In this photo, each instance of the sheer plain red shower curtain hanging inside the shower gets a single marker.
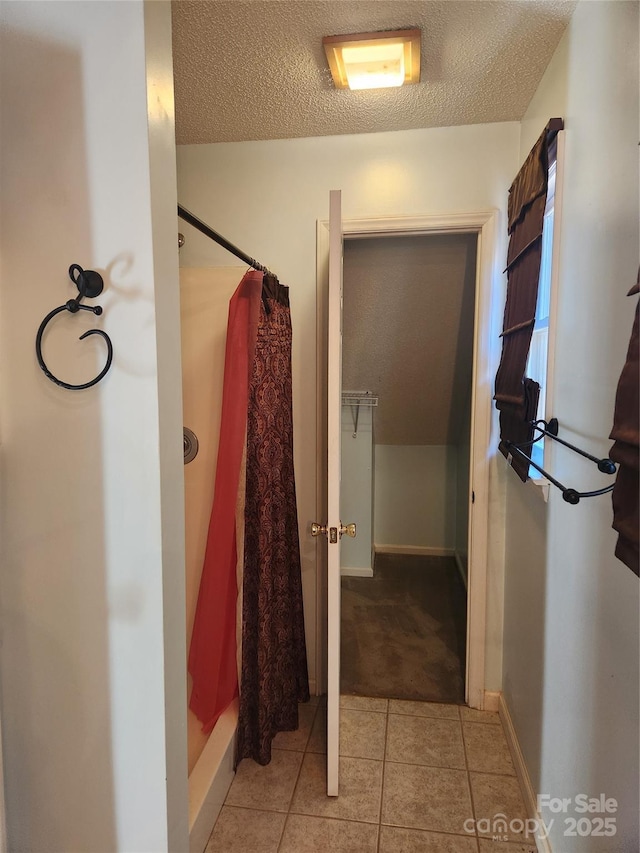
(212, 654)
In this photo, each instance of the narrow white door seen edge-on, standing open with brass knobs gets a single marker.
(334, 386)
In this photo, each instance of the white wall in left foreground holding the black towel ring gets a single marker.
(93, 709)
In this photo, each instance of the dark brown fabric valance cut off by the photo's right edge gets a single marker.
(626, 451)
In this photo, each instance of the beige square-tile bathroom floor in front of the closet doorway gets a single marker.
(411, 774)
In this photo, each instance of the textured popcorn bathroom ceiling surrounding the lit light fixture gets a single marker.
(256, 69)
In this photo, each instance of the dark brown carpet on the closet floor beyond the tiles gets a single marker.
(403, 630)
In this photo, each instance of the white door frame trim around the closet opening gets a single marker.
(483, 223)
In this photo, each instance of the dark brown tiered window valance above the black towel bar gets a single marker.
(516, 396)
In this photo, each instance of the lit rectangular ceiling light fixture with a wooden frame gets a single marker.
(374, 60)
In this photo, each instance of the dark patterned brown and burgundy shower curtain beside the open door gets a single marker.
(274, 665)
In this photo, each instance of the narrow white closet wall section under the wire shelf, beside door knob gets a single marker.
(356, 486)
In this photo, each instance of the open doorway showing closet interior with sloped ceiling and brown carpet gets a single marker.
(407, 363)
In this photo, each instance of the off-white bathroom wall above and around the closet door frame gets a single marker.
(266, 198)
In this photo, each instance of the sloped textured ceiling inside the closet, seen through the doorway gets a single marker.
(408, 333)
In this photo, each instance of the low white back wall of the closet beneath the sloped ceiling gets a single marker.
(415, 496)
